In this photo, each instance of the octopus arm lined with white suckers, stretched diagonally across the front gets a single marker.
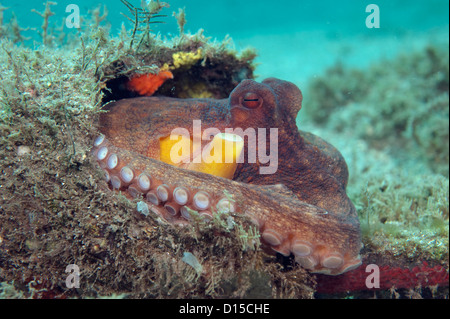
(321, 242)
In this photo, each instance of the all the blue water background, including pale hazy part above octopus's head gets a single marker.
(295, 39)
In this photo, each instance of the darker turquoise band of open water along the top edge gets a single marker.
(235, 17)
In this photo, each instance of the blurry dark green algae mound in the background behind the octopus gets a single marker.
(399, 105)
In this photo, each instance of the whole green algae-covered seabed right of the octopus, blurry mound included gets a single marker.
(391, 123)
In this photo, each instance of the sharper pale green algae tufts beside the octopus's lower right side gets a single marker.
(406, 216)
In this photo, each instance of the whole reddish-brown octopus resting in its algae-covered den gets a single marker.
(301, 208)
